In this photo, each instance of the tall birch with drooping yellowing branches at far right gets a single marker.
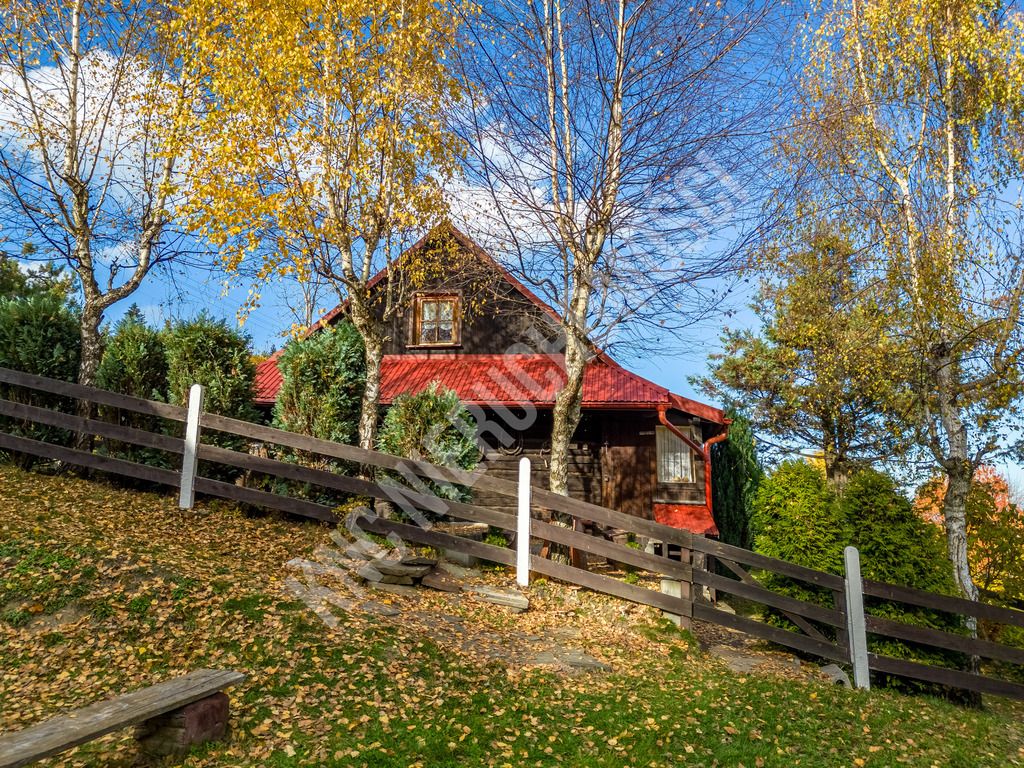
(912, 132)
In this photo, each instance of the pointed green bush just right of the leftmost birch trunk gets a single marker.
(135, 363)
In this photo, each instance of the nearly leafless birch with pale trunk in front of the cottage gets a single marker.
(613, 138)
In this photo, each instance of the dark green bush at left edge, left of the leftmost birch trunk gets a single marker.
(38, 335)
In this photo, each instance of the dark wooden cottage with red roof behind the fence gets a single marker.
(474, 328)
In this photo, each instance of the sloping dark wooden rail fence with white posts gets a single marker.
(838, 632)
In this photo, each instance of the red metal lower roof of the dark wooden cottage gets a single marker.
(510, 380)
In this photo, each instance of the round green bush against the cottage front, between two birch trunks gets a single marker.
(432, 426)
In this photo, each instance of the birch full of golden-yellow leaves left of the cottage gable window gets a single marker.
(325, 145)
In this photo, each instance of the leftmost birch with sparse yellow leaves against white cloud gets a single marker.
(93, 117)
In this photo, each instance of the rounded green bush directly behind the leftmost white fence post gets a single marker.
(210, 353)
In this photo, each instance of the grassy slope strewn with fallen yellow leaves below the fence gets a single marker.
(104, 591)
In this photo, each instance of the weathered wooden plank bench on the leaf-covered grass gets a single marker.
(172, 716)
